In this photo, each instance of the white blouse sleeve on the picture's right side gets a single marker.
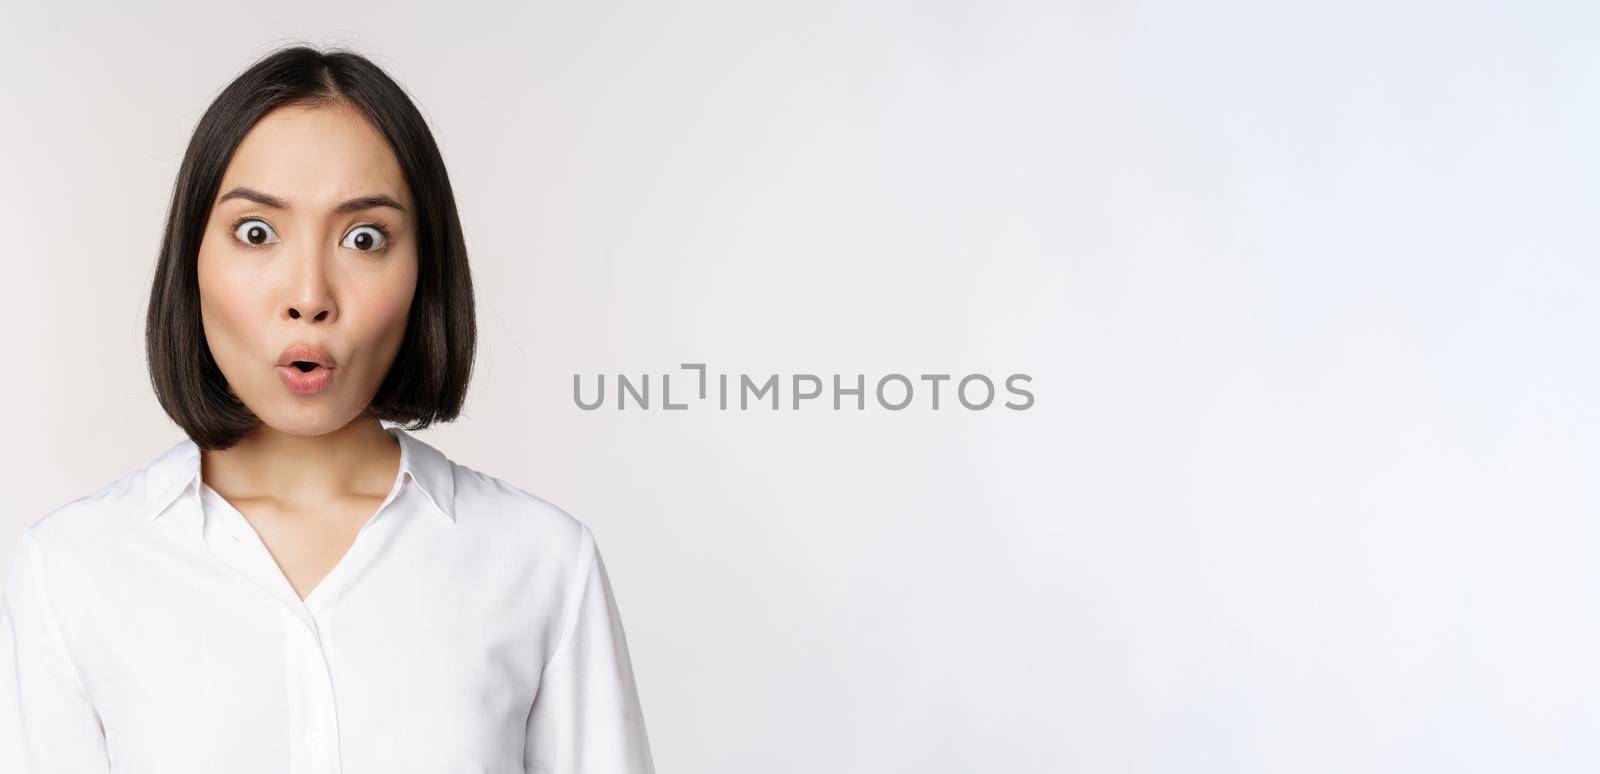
(586, 716)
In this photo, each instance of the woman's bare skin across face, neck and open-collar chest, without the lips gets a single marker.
(306, 269)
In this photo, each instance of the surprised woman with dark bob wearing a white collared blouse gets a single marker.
(297, 588)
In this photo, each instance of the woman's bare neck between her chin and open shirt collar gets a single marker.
(306, 471)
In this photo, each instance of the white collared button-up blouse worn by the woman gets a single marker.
(471, 628)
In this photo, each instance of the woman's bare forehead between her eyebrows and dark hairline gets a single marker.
(316, 158)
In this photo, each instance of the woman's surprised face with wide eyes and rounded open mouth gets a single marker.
(313, 244)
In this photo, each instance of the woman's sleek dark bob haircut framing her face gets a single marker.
(428, 381)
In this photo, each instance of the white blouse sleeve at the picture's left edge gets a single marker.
(47, 722)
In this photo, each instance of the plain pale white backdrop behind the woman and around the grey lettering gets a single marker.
(1306, 293)
